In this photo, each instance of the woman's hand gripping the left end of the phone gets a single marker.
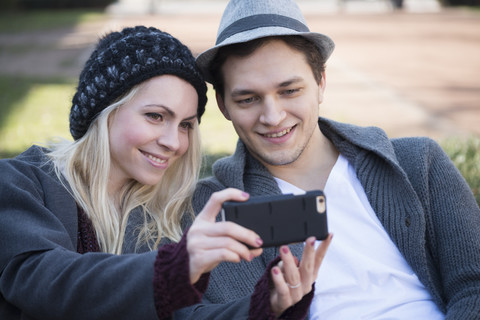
(210, 242)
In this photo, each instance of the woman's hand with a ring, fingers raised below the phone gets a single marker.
(291, 280)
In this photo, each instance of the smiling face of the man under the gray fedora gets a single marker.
(272, 99)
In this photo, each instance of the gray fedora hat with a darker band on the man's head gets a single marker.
(245, 20)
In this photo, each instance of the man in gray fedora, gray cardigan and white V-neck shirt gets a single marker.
(406, 225)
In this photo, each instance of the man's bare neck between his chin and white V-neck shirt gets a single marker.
(311, 170)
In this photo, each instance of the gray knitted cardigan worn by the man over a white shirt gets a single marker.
(417, 193)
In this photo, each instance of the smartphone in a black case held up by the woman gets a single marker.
(281, 219)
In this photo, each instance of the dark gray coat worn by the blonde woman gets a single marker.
(41, 274)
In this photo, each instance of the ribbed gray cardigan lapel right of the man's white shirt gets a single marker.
(386, 185)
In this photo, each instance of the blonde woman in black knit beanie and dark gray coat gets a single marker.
(70, 213)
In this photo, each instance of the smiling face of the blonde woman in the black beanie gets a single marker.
(151, 131)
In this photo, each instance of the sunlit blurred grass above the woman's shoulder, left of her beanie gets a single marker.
(32, 111)
